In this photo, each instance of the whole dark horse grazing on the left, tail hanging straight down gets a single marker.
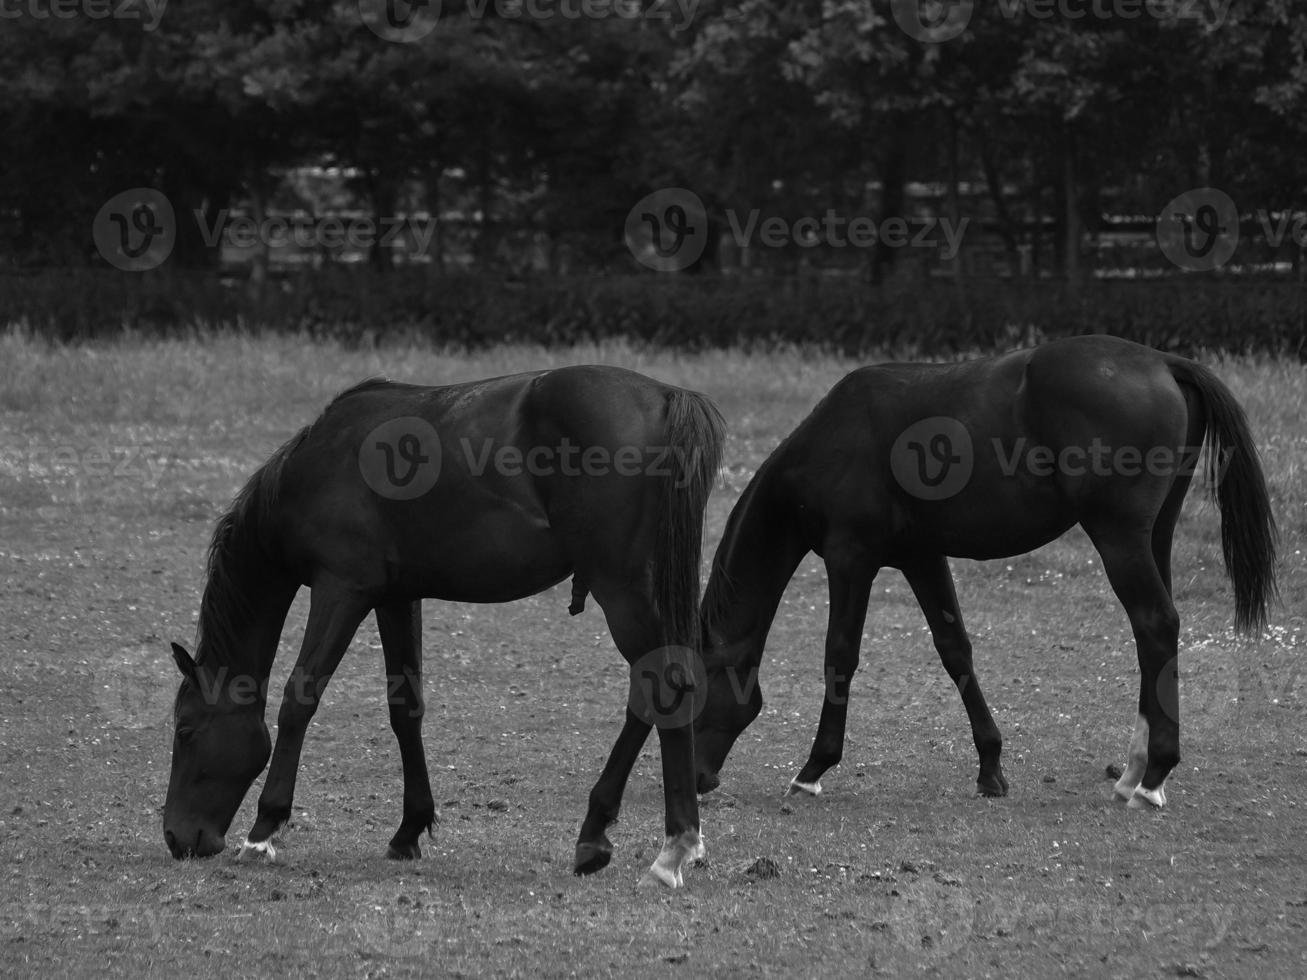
(480, 493)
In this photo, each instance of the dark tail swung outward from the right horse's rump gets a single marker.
(1240, 488)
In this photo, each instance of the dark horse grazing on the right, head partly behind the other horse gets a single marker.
(905, 466)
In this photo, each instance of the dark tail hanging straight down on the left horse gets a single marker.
(695, 433)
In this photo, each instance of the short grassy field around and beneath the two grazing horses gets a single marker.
(114, 462)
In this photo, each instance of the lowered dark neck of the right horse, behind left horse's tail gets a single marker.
(757, 557)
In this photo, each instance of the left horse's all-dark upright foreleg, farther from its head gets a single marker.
(401, 627)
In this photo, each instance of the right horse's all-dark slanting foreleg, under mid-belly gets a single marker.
(933, 585)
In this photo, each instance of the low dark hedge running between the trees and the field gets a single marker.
(842, 314)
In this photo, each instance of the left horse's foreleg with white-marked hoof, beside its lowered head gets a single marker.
(334, 616)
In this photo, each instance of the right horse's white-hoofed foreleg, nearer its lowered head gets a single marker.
(852, 574)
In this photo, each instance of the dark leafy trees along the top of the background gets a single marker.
(547, 121)
